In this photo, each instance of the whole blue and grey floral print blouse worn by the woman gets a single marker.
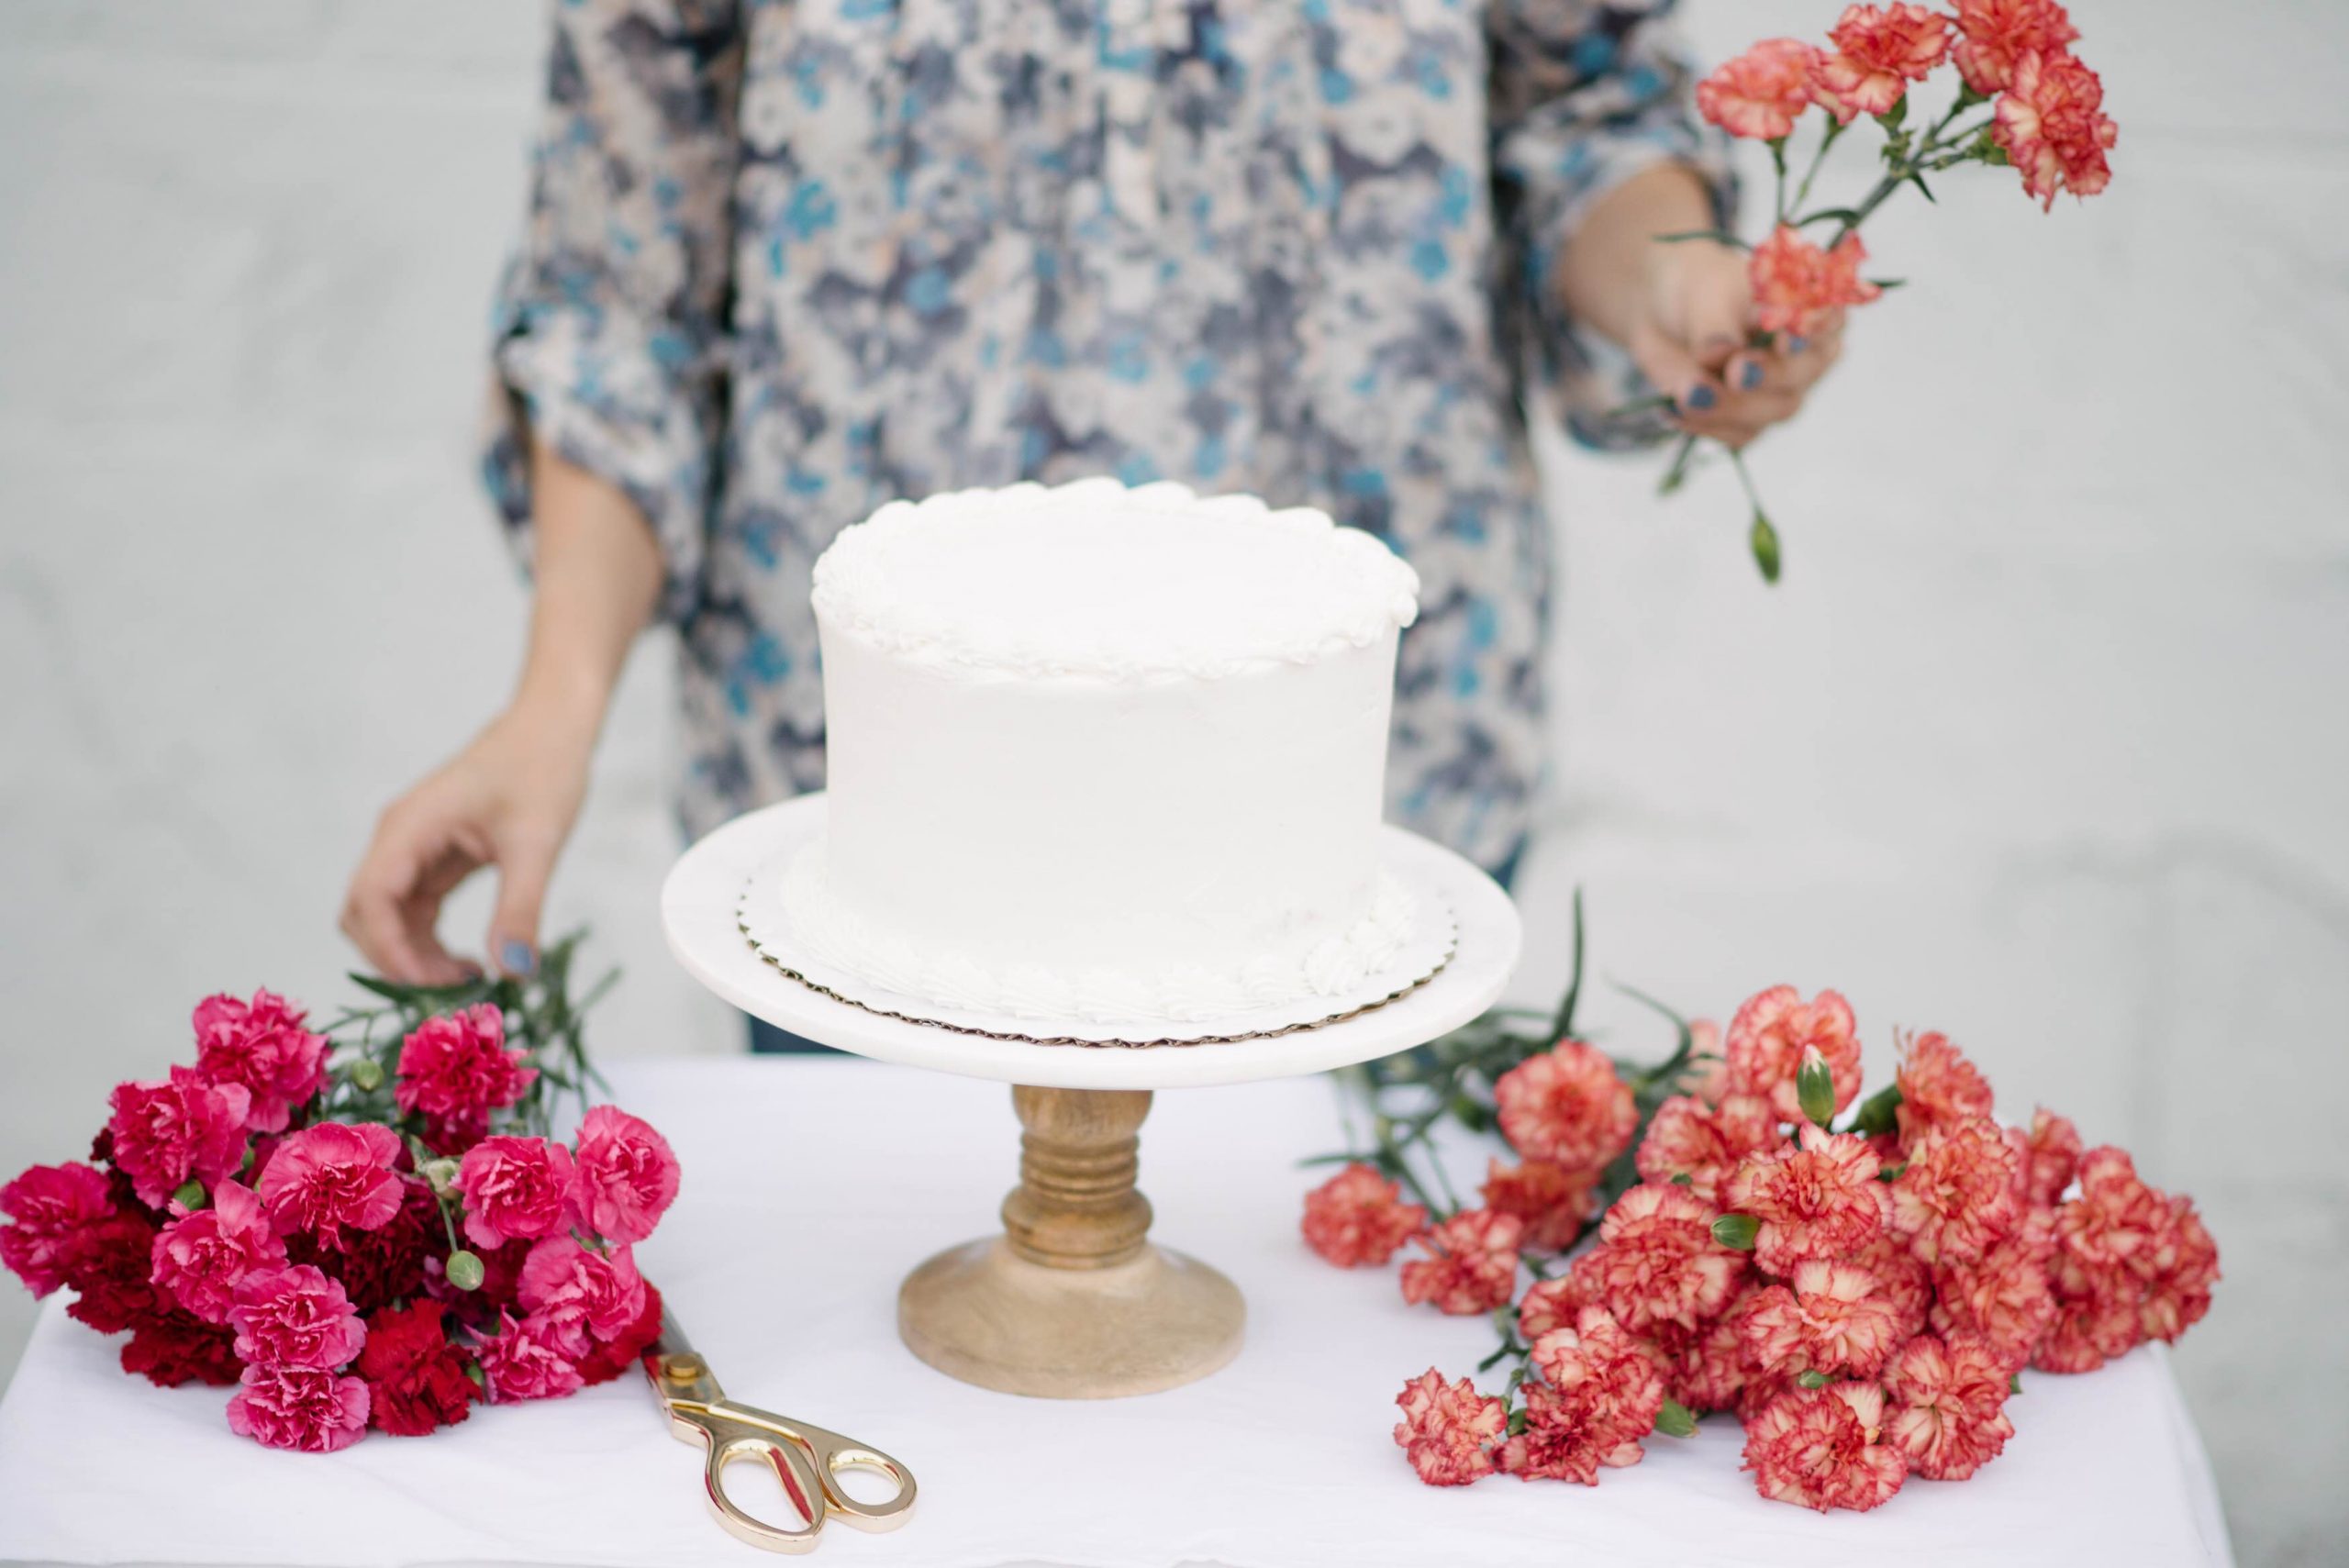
(788, 262)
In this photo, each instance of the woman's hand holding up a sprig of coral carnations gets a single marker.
(1692, 344)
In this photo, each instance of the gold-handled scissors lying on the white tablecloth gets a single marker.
(809, 1461)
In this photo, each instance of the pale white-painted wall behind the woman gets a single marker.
(2042, 741)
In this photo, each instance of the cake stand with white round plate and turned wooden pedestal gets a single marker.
(1072, 1302)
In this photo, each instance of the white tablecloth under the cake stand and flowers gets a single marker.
(814, 1187)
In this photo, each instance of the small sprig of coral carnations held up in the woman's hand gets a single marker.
(2021, 102)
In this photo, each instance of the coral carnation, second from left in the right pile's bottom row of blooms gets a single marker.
(1596, 1400)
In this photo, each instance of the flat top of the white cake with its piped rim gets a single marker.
(1110, 583)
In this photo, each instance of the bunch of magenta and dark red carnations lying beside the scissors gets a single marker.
(363, 1224)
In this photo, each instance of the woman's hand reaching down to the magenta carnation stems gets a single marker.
(504, 802)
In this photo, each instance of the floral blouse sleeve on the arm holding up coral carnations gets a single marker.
(1584, 95)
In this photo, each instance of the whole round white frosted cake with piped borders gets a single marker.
(1105, 752)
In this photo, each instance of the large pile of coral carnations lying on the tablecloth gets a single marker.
(1862, 1283)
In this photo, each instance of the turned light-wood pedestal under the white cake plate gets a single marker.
(1072, 1302)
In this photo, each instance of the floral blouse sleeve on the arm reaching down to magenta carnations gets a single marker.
(612, 316)
